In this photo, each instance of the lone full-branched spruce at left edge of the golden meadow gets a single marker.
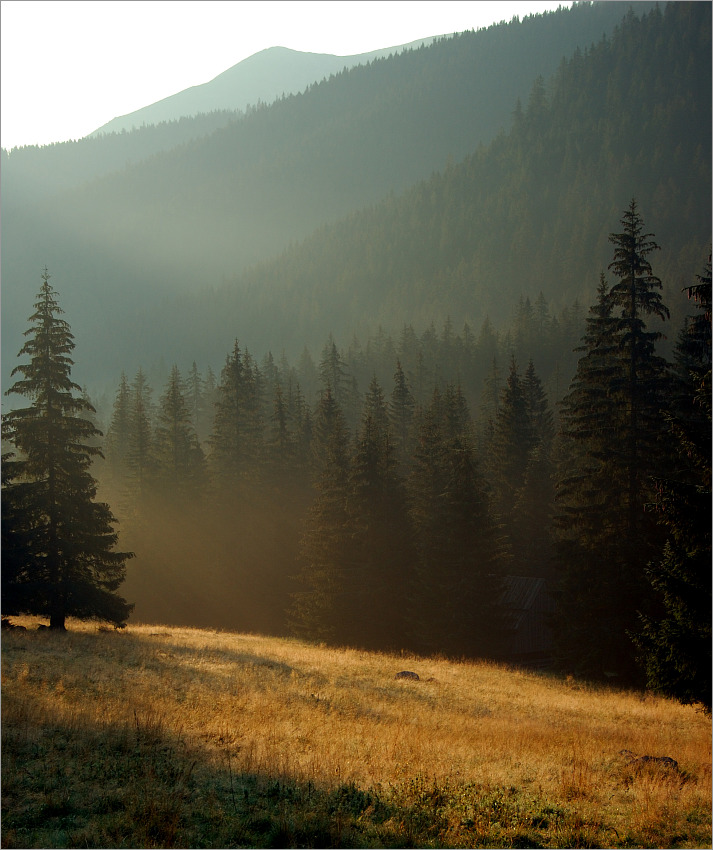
(62, 540)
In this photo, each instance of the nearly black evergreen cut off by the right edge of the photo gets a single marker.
(675, 646)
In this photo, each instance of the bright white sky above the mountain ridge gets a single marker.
(69, 66)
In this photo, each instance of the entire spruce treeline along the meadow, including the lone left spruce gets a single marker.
(390, 517)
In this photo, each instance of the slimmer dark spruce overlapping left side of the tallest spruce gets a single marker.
(588, 491)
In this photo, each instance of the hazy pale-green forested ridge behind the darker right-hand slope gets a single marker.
(122, 245)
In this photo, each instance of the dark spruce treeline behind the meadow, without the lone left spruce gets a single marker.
(401, 508)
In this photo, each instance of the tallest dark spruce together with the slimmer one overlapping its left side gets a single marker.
(613, 418)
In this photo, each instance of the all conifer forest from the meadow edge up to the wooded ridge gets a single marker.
(389, 420)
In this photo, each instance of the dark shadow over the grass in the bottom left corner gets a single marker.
(73, 785)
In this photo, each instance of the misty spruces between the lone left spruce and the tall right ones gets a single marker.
(243, 453)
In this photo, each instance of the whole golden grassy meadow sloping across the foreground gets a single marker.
(157, 736)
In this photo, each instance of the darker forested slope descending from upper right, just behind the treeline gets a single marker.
(529, 213)
